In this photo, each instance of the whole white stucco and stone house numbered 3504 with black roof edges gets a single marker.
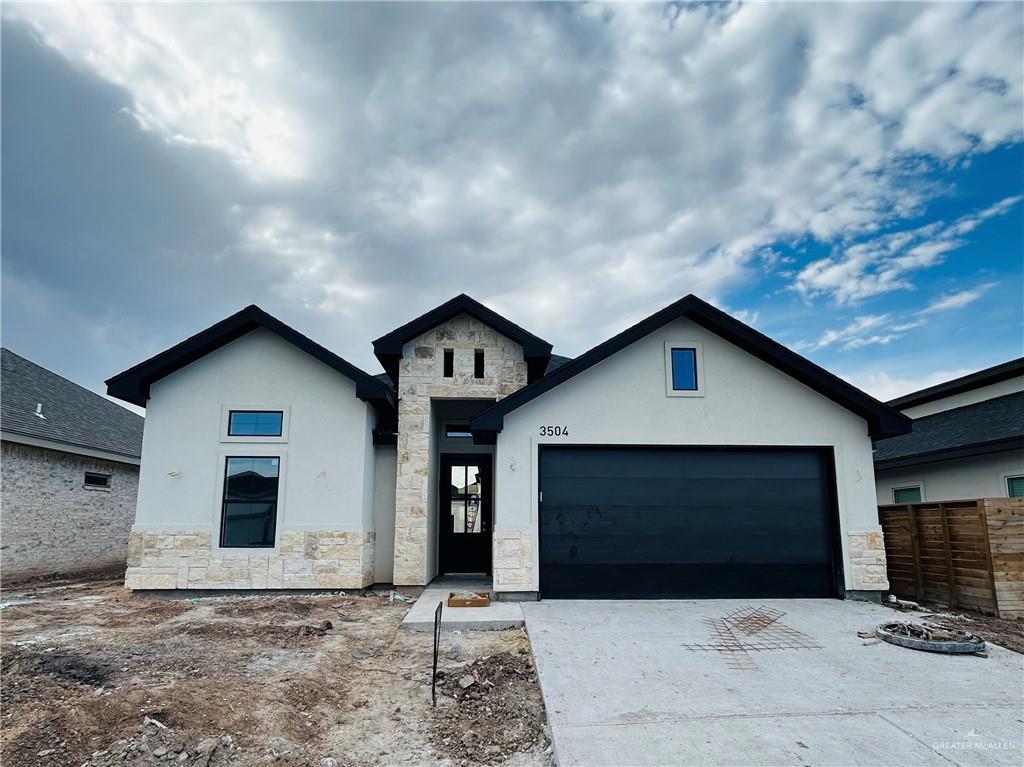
(690, 456)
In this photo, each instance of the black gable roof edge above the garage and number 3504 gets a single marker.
(882, 420)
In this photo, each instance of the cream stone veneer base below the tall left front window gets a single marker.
(306, 560)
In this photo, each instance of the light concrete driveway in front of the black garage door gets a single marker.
(777, 683)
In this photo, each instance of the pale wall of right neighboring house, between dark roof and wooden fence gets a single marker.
(982, 477)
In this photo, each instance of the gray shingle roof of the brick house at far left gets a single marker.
(72, 415)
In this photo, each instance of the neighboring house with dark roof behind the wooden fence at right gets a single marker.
(968, 441)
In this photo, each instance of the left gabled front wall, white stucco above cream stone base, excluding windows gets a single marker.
(327, 471)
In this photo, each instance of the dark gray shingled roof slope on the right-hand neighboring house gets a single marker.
(998, 419)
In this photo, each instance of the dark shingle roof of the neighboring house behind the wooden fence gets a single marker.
(990, 427)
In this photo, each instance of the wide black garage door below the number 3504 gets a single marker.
(657, 523)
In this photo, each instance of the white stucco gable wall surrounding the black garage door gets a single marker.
(624, 401)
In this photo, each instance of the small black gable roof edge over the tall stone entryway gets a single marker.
(389, 348)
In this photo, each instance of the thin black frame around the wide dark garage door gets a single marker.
(827, 453)
